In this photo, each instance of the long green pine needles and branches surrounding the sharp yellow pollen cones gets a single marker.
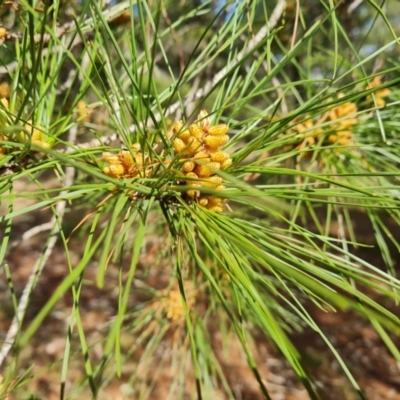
(309, 93)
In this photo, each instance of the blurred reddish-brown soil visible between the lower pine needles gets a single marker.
(361, 348)
